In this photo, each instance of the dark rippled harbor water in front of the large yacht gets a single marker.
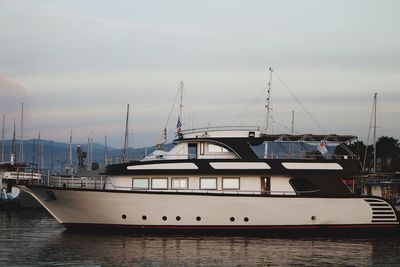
(34, 238)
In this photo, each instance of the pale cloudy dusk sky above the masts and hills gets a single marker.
(77, 64)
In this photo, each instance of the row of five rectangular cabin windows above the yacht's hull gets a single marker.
(209, 183)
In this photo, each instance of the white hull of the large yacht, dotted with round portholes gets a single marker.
(180, 211)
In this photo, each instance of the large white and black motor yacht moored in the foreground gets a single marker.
(214, 179)
